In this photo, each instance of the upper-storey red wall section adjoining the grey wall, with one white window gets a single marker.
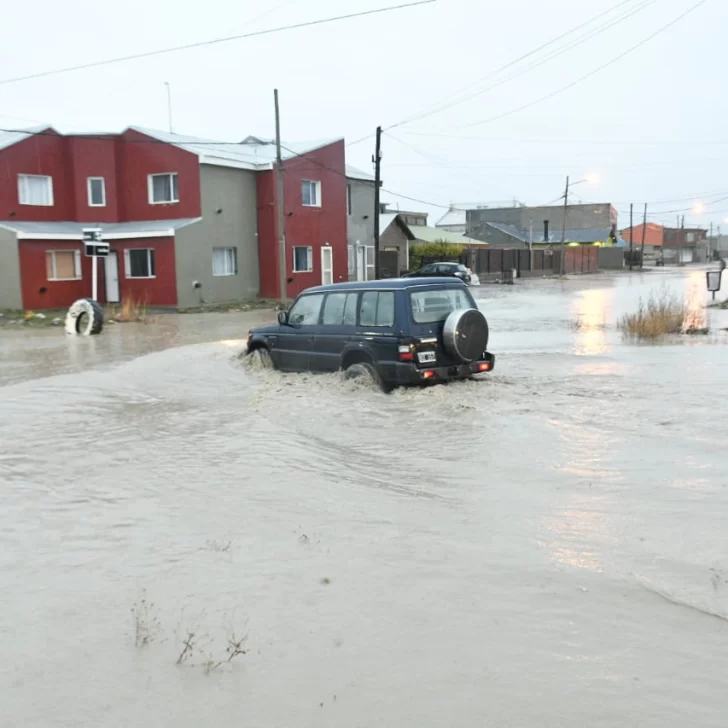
(137, 157)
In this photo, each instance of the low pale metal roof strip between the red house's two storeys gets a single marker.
(111, 230)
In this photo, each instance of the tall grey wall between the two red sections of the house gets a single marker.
(234, 192)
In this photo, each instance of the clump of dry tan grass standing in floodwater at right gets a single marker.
(662, 314)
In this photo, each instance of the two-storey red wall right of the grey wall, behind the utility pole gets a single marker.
(310, 226)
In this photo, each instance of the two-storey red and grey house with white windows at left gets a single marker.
(188, 220)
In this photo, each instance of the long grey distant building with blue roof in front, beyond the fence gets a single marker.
(520, 226)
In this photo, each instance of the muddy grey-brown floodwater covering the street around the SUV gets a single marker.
(547, 548)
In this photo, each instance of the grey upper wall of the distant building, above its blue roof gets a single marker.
(578, 216)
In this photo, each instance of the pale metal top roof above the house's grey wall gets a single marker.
(252, 153)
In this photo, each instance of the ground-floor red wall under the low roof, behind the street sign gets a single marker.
(159, 291)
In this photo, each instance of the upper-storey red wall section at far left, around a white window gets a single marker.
(45, 154)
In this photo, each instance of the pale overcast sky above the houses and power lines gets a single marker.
(651, 125)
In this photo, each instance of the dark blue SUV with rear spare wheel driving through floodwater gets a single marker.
(398, 332)
